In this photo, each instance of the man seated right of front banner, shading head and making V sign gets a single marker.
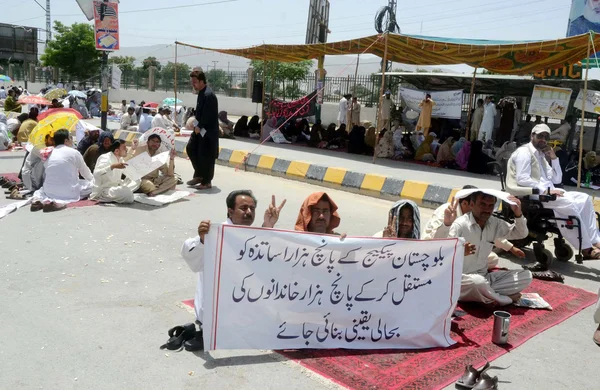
(480, 228)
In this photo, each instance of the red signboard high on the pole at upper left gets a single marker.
(106, 25)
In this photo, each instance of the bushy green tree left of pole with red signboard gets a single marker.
(73, 50)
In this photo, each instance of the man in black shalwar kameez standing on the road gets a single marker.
(203, 146)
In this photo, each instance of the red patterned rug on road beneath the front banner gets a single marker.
(439, 367)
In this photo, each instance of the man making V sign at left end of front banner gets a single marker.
(241, 207)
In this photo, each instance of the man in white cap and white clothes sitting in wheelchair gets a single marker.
(529, 173)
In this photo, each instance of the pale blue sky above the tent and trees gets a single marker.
(240, 23)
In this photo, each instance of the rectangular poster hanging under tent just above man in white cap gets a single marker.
(551, 102)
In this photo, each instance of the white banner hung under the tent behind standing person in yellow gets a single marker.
(448, 104)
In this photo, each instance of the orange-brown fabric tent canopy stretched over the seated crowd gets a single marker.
(504, 57)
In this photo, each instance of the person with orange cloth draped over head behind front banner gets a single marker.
(318, 214)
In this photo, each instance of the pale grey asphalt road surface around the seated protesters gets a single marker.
(88, 295)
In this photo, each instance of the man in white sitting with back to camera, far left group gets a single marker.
(62, 169)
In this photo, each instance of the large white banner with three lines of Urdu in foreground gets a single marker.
(275, 289)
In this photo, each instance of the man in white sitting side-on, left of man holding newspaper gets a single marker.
(108, 185)
